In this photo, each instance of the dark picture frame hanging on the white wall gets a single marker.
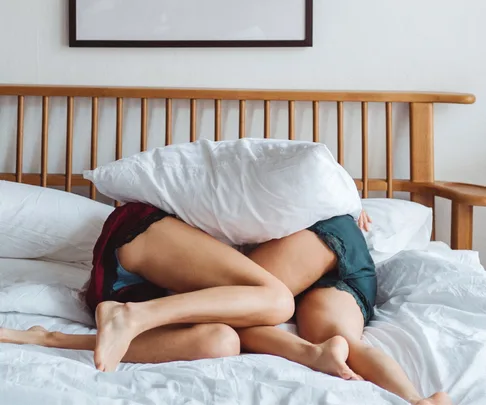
(74, 42)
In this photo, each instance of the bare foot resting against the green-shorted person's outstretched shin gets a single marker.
(332, 359)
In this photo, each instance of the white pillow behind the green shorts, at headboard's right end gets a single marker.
(397, 225)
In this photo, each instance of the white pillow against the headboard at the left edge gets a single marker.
(40, 222)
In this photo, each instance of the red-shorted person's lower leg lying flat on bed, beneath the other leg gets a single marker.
(169, 343)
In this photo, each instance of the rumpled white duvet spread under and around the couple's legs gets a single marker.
(431, 318)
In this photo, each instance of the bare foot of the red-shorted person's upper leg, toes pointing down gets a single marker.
(115, 332)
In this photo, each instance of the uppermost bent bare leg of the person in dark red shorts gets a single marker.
(216, 284)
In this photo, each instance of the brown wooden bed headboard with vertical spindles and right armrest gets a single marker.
(421, 185)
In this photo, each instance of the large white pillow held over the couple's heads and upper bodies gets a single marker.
(240, 192)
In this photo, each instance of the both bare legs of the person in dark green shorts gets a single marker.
(324, 315)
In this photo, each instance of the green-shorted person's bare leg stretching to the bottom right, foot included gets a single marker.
(327, 312)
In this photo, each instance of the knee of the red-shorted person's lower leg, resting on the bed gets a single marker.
(220, 340)
